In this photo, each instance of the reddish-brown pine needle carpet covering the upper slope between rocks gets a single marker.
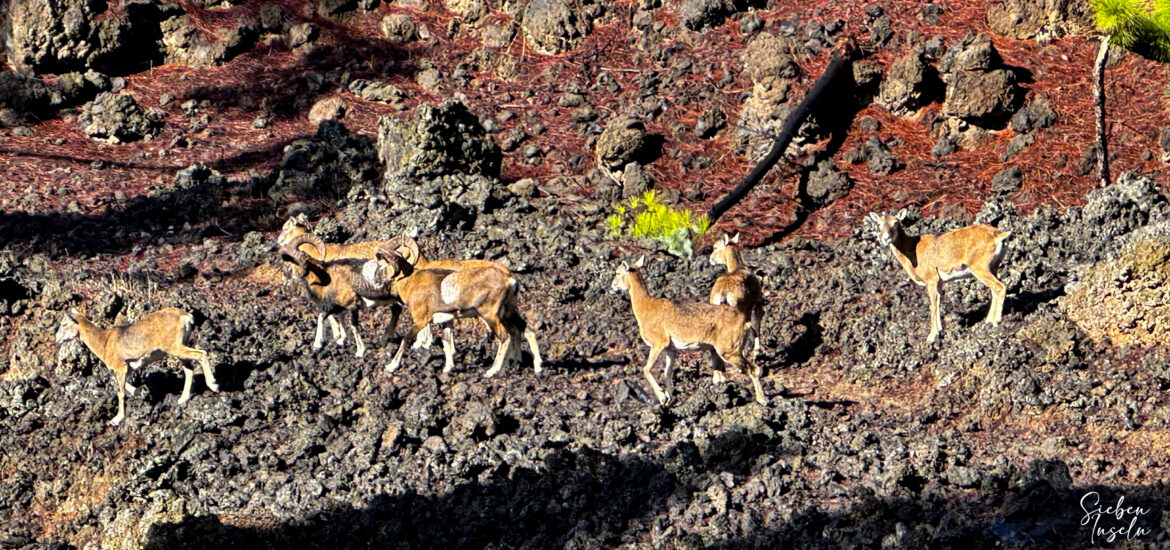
(58, 164)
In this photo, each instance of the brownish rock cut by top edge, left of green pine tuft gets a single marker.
(1041, 19)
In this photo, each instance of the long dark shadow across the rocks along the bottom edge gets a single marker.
(587, 499)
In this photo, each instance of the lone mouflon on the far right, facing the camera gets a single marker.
(933, 260)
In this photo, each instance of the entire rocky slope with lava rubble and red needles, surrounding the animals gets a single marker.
(873, 438)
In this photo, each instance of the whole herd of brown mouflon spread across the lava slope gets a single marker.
(342, 279)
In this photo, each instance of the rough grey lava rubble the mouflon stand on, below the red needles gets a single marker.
(329, 451)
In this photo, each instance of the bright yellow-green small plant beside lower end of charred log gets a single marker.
(646, 217)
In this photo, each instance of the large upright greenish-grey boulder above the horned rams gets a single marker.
(436, 141)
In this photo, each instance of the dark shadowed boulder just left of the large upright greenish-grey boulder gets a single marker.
(327, 166)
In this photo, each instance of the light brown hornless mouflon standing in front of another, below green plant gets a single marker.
(669, 326)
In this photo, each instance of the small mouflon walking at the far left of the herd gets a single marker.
(152, 339)
